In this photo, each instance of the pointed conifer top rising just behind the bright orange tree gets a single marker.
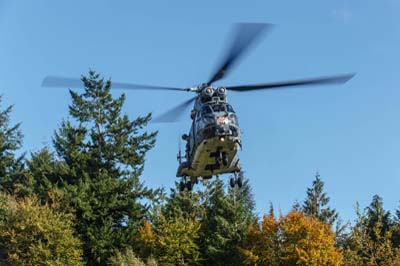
(316, 203)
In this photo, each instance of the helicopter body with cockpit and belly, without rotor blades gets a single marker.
(213, 139)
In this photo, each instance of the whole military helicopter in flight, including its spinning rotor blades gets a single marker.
(214, 137)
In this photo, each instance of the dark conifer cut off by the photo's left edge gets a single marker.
(11, 166)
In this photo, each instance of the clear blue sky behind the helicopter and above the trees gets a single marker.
(350, 133)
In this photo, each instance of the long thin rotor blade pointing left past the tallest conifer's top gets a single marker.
(60, 82)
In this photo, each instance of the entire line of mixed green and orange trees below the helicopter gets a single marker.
(82, 202)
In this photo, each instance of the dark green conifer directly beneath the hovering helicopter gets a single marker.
(228, 218)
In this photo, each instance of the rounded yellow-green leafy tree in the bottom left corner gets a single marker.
(35, 234)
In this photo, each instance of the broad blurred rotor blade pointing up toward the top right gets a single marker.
(244, 35)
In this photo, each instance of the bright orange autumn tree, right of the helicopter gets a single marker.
(294, 239)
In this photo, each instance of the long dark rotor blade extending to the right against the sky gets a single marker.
(329, 80)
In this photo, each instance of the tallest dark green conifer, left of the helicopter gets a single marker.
(102, 153)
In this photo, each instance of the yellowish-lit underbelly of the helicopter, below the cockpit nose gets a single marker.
(204, 159)
